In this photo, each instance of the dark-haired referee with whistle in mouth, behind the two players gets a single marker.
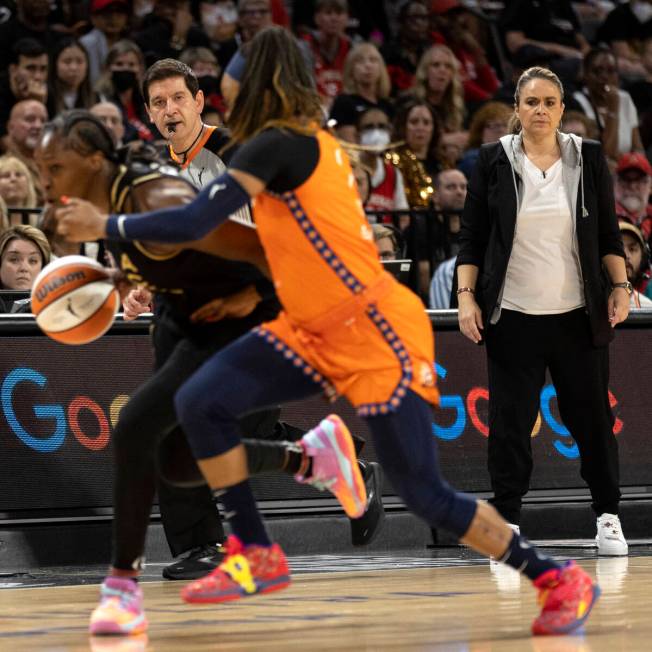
(190, 518)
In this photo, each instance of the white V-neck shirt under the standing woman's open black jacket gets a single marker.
(543, 275)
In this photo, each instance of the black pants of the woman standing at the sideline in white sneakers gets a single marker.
(519, 349)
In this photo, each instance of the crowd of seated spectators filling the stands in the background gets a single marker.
(415, 86)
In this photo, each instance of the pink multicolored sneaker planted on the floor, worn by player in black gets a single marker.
(121, 608)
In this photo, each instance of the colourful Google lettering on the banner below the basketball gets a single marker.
(62, 417)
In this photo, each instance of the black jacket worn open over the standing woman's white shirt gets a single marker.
(489, 220)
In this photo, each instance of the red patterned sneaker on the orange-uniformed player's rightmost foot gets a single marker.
(566, 597)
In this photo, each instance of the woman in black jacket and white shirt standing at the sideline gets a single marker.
(538, 230)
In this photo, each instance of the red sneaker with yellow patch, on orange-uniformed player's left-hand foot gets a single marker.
(245, 571)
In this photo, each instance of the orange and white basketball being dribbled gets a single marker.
(74, 300)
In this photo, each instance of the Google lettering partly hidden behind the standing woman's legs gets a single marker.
(461, 407)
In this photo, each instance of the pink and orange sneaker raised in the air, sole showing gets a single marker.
(334, 464)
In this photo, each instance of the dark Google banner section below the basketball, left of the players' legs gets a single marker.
(59, 404)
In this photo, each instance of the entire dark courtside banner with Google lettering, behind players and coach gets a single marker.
(59, 404)
